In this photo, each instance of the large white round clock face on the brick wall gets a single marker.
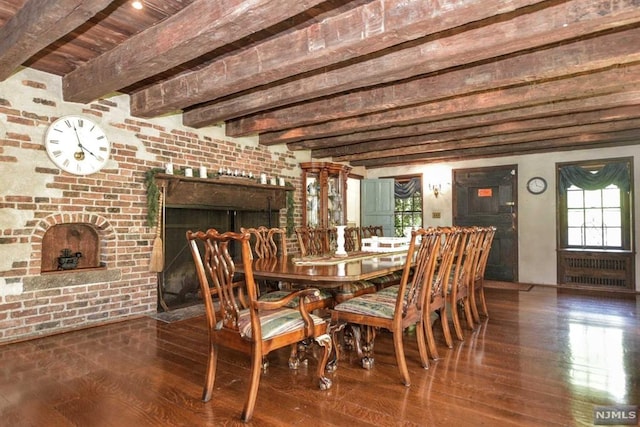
(77, 145)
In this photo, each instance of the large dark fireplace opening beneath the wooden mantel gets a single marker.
(179, 285)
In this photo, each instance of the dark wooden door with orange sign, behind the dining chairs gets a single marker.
(488, 196)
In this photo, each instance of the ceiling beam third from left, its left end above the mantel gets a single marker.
(369, 28)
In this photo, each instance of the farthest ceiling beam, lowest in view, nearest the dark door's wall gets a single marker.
(584, 141)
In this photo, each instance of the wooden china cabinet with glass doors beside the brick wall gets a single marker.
(325, 201)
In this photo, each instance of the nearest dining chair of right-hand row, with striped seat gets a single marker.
(395, 310)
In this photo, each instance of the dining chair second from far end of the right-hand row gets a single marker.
(459, 285)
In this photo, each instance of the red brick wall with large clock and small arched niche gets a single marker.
(35, 195)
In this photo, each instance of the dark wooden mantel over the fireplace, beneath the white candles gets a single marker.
(233, 193)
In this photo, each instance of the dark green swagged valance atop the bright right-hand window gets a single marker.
(612, 173)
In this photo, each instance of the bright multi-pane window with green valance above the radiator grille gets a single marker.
(594, 201)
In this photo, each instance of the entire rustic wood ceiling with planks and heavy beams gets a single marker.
(369, 82)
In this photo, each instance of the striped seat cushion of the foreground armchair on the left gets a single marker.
(276, 322)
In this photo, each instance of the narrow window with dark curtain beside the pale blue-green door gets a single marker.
(408, 204)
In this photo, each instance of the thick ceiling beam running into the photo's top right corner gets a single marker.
(497, 37)
